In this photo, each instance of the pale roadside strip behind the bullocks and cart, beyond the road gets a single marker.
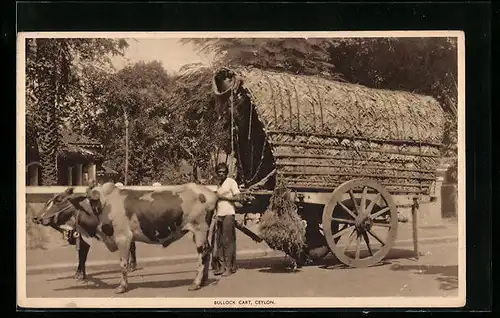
(65, 258)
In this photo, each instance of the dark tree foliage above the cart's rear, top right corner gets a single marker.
(422, 65)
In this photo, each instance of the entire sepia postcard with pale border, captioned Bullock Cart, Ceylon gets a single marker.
(241, 169)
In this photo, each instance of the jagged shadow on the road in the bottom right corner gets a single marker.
(447, 276)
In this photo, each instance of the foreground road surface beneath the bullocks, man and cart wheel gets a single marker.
(435, 274)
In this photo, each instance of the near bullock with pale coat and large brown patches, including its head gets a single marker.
(125, 216)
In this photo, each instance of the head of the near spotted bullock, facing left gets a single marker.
(59, 212)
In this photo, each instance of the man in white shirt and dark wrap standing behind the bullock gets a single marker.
(225, 259)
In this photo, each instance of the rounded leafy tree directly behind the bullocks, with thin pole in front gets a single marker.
(138, 91)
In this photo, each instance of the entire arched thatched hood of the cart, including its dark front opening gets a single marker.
(317, 133)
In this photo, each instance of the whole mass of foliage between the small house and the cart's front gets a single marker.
(171, 120)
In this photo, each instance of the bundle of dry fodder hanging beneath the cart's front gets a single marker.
(281, 227)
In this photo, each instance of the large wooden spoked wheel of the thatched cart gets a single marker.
(360, 222)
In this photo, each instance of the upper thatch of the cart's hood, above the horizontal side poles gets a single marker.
(309, 104)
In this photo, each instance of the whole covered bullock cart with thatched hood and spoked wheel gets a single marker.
(351, 156)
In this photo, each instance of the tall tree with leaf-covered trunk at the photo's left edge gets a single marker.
(51, 73)
